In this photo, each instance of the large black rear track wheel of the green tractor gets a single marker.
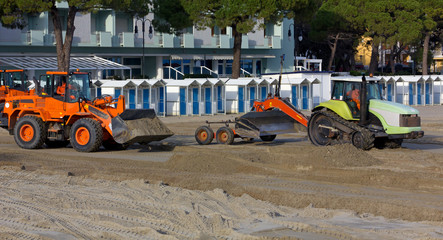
(319, 136)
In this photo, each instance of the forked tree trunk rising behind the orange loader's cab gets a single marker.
(63, 49)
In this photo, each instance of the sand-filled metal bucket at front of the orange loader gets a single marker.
(138, 125)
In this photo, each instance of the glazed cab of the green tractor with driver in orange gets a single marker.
(349, 92)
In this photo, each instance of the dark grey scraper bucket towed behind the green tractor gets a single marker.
(255, 124)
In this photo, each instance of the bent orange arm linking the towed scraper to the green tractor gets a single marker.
(284, 106)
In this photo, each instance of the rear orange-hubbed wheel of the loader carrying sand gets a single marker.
(30, 132)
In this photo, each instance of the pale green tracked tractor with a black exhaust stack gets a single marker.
(365, 120)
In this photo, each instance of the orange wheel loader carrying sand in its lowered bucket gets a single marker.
(61, 112)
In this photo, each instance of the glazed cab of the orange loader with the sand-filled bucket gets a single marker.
(65, 87)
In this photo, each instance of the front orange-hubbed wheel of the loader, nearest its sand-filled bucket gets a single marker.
(86, 135)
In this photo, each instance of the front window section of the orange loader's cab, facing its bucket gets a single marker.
(78, 87)
